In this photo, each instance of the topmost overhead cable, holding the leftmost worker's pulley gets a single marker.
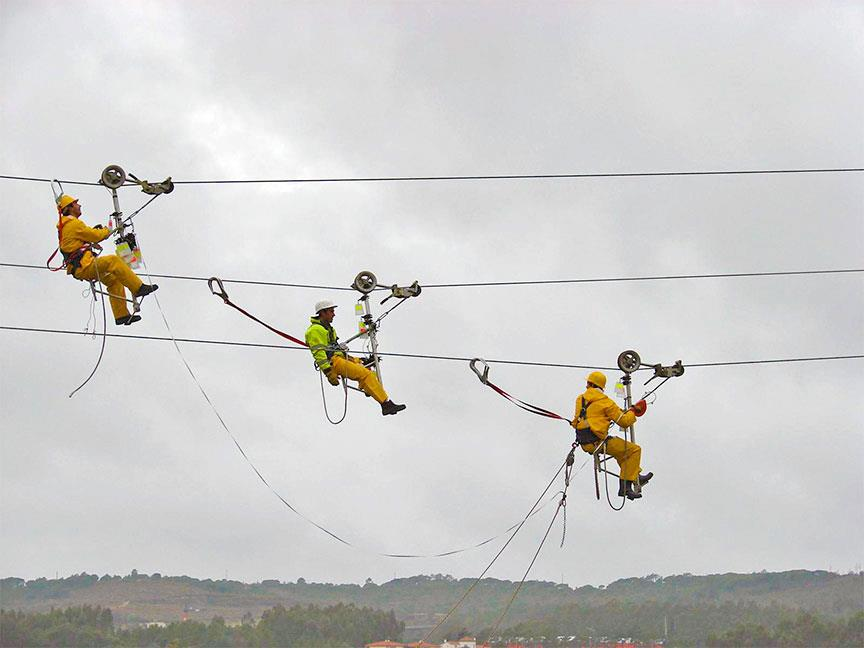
(509, 176)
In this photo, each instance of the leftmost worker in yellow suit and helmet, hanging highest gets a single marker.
(77, 243)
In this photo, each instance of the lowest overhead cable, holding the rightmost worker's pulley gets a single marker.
(423, 356)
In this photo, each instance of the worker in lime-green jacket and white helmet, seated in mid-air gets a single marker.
(335, 362)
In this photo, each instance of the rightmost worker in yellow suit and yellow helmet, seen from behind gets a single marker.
(595, 411)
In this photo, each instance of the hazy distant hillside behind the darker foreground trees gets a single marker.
(421, 600)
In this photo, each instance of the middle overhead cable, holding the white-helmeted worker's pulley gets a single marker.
(537, 282)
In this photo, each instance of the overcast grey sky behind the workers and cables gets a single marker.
(757, 466)
